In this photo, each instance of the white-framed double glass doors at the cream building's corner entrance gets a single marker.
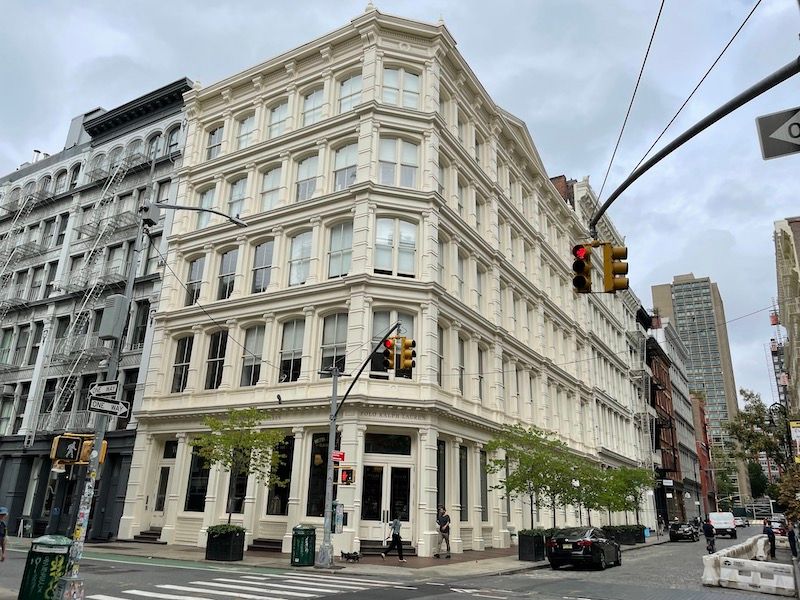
(385, 494)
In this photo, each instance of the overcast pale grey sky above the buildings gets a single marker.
(567, 68)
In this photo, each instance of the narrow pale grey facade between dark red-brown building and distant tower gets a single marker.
(688, 489)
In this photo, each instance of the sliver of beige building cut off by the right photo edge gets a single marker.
(787, 264)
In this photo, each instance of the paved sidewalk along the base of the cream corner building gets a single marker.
(493, 561)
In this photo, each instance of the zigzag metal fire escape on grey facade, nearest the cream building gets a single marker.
(78, 347)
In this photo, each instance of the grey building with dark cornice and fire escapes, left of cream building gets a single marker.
(68, 231)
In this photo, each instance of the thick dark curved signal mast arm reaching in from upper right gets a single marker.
(766, 84)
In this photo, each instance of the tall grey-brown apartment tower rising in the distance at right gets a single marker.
(694, 305)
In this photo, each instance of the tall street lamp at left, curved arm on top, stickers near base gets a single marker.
(71, 584)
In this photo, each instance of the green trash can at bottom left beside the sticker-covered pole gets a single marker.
(45, 565)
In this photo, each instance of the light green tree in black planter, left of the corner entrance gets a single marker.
(238, 443)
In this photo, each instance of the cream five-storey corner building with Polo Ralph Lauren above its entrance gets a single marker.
(379, 183)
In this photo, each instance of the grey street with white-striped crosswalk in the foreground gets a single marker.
(668, 571)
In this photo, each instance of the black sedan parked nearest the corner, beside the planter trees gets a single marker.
(582, 545)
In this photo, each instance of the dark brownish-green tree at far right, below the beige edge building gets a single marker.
(755, 429)
